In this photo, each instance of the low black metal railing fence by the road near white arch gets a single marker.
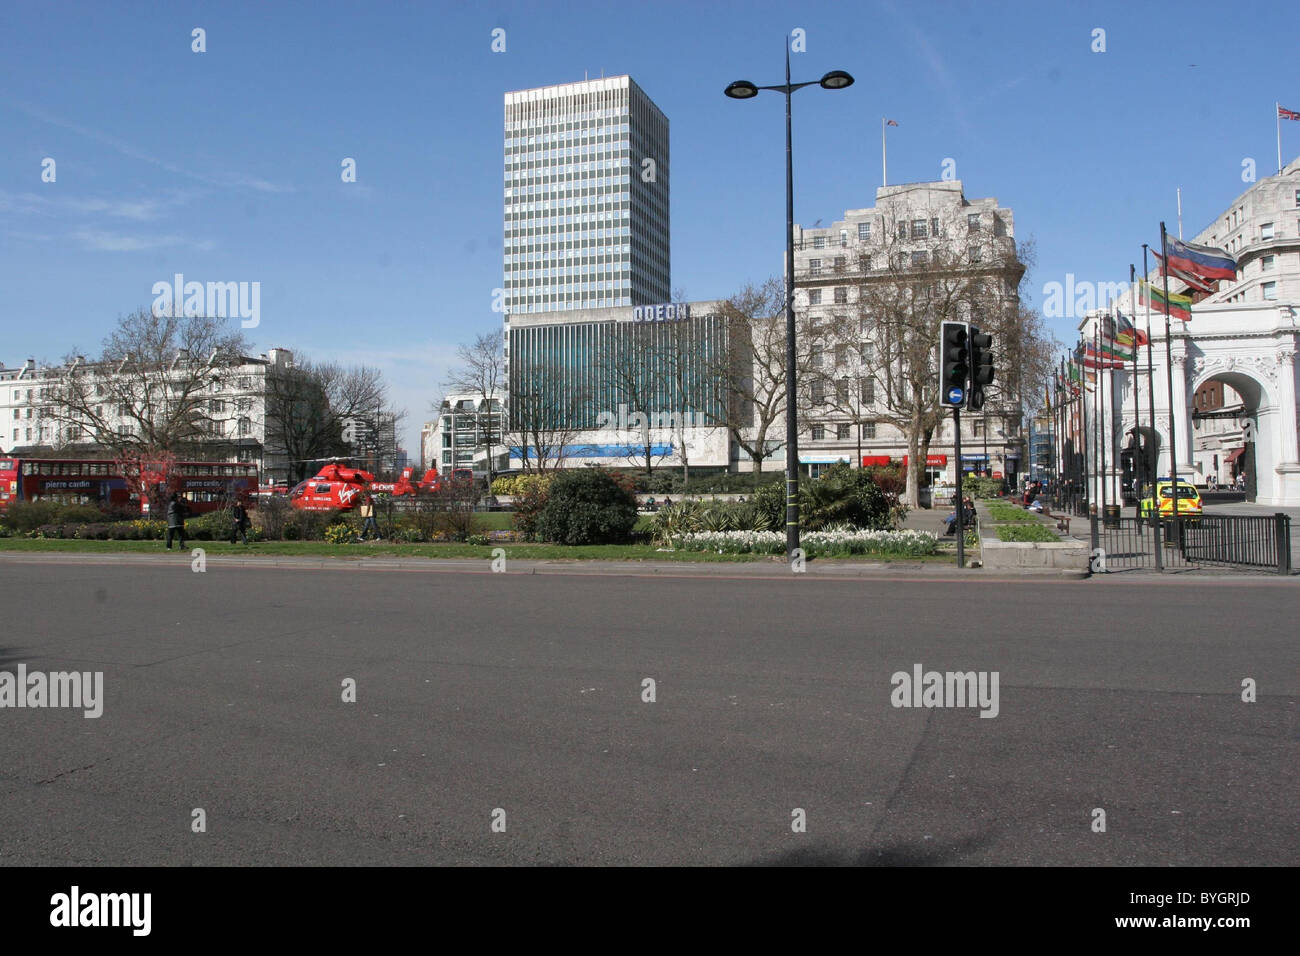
(1246, 542)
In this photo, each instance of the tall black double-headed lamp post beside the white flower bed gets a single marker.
(744, 90)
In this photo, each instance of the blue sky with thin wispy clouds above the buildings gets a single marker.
(227, 165)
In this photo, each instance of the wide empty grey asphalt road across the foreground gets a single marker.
(523, 693)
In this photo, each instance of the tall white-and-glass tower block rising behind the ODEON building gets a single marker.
(586, 198)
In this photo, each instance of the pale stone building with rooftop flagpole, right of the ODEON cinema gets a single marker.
(915, 232)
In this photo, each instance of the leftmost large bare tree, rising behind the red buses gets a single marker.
(153, 390)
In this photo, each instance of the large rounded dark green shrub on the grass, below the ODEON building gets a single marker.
(587, 507)
